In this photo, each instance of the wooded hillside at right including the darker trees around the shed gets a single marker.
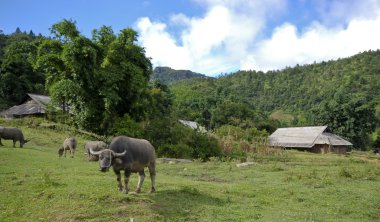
(342, 94)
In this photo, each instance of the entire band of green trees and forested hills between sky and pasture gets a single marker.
(109, 87)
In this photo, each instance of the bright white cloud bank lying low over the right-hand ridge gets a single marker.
(287, 48)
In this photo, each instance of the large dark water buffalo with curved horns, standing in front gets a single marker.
(131, 155)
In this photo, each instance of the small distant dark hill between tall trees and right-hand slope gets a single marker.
(168, 75)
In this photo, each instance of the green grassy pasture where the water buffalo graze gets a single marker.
(36, 185)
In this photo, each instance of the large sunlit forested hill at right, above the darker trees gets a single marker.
(295, 91)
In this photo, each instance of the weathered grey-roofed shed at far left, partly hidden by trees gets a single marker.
(35, 105)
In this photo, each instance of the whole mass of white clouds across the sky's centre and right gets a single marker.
(226, 37)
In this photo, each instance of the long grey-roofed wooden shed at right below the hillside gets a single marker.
(312, 138)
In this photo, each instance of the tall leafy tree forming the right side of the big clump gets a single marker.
(128, 72)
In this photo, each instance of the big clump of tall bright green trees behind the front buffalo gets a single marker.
(100, 79)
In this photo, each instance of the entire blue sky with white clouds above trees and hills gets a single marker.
(217, 36)
